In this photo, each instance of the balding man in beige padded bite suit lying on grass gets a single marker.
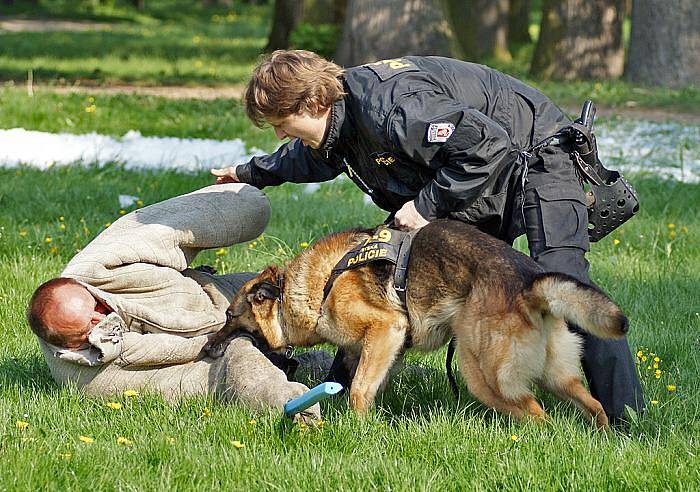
(128, 314)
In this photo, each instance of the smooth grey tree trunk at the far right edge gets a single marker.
(665, 43)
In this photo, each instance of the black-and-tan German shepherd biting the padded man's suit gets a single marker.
(508, 315)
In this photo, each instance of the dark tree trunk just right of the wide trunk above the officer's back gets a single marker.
(481, 27)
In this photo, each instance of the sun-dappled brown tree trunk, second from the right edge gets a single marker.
(580, 39)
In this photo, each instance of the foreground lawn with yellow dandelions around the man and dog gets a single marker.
(418, 438)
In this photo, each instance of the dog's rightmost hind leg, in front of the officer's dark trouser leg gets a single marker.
(561, 372)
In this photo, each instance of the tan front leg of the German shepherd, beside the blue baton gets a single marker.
(380, 347)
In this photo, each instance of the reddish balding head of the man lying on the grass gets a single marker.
(62, 312)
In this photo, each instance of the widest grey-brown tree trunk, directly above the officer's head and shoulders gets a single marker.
(379, 29)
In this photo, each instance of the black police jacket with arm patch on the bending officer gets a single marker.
(444, 133)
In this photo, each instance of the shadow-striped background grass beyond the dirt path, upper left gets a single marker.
(171, 43)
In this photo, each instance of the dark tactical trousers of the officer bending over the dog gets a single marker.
(556, 225)
